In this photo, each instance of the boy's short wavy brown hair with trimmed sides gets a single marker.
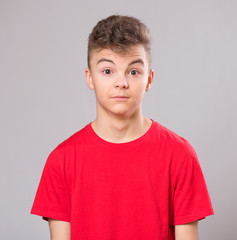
(118, 33)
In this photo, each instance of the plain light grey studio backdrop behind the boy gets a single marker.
(44, 98)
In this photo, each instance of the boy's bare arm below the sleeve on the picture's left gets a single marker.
(59, 230)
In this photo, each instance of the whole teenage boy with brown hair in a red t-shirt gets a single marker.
(123, 176)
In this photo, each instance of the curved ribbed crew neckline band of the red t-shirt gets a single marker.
(134, 142)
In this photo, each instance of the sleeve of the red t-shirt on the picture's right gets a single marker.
(191, 198)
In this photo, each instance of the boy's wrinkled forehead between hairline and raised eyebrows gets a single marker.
(131, 53)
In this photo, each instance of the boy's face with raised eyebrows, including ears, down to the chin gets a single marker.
(114, 75)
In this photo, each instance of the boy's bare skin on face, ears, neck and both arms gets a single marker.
(117, 121)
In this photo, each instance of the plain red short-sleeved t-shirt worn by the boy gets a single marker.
(123, 191)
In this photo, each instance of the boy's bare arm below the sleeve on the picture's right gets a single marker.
(187, 231)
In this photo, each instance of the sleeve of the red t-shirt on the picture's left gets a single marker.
(51, 197)
